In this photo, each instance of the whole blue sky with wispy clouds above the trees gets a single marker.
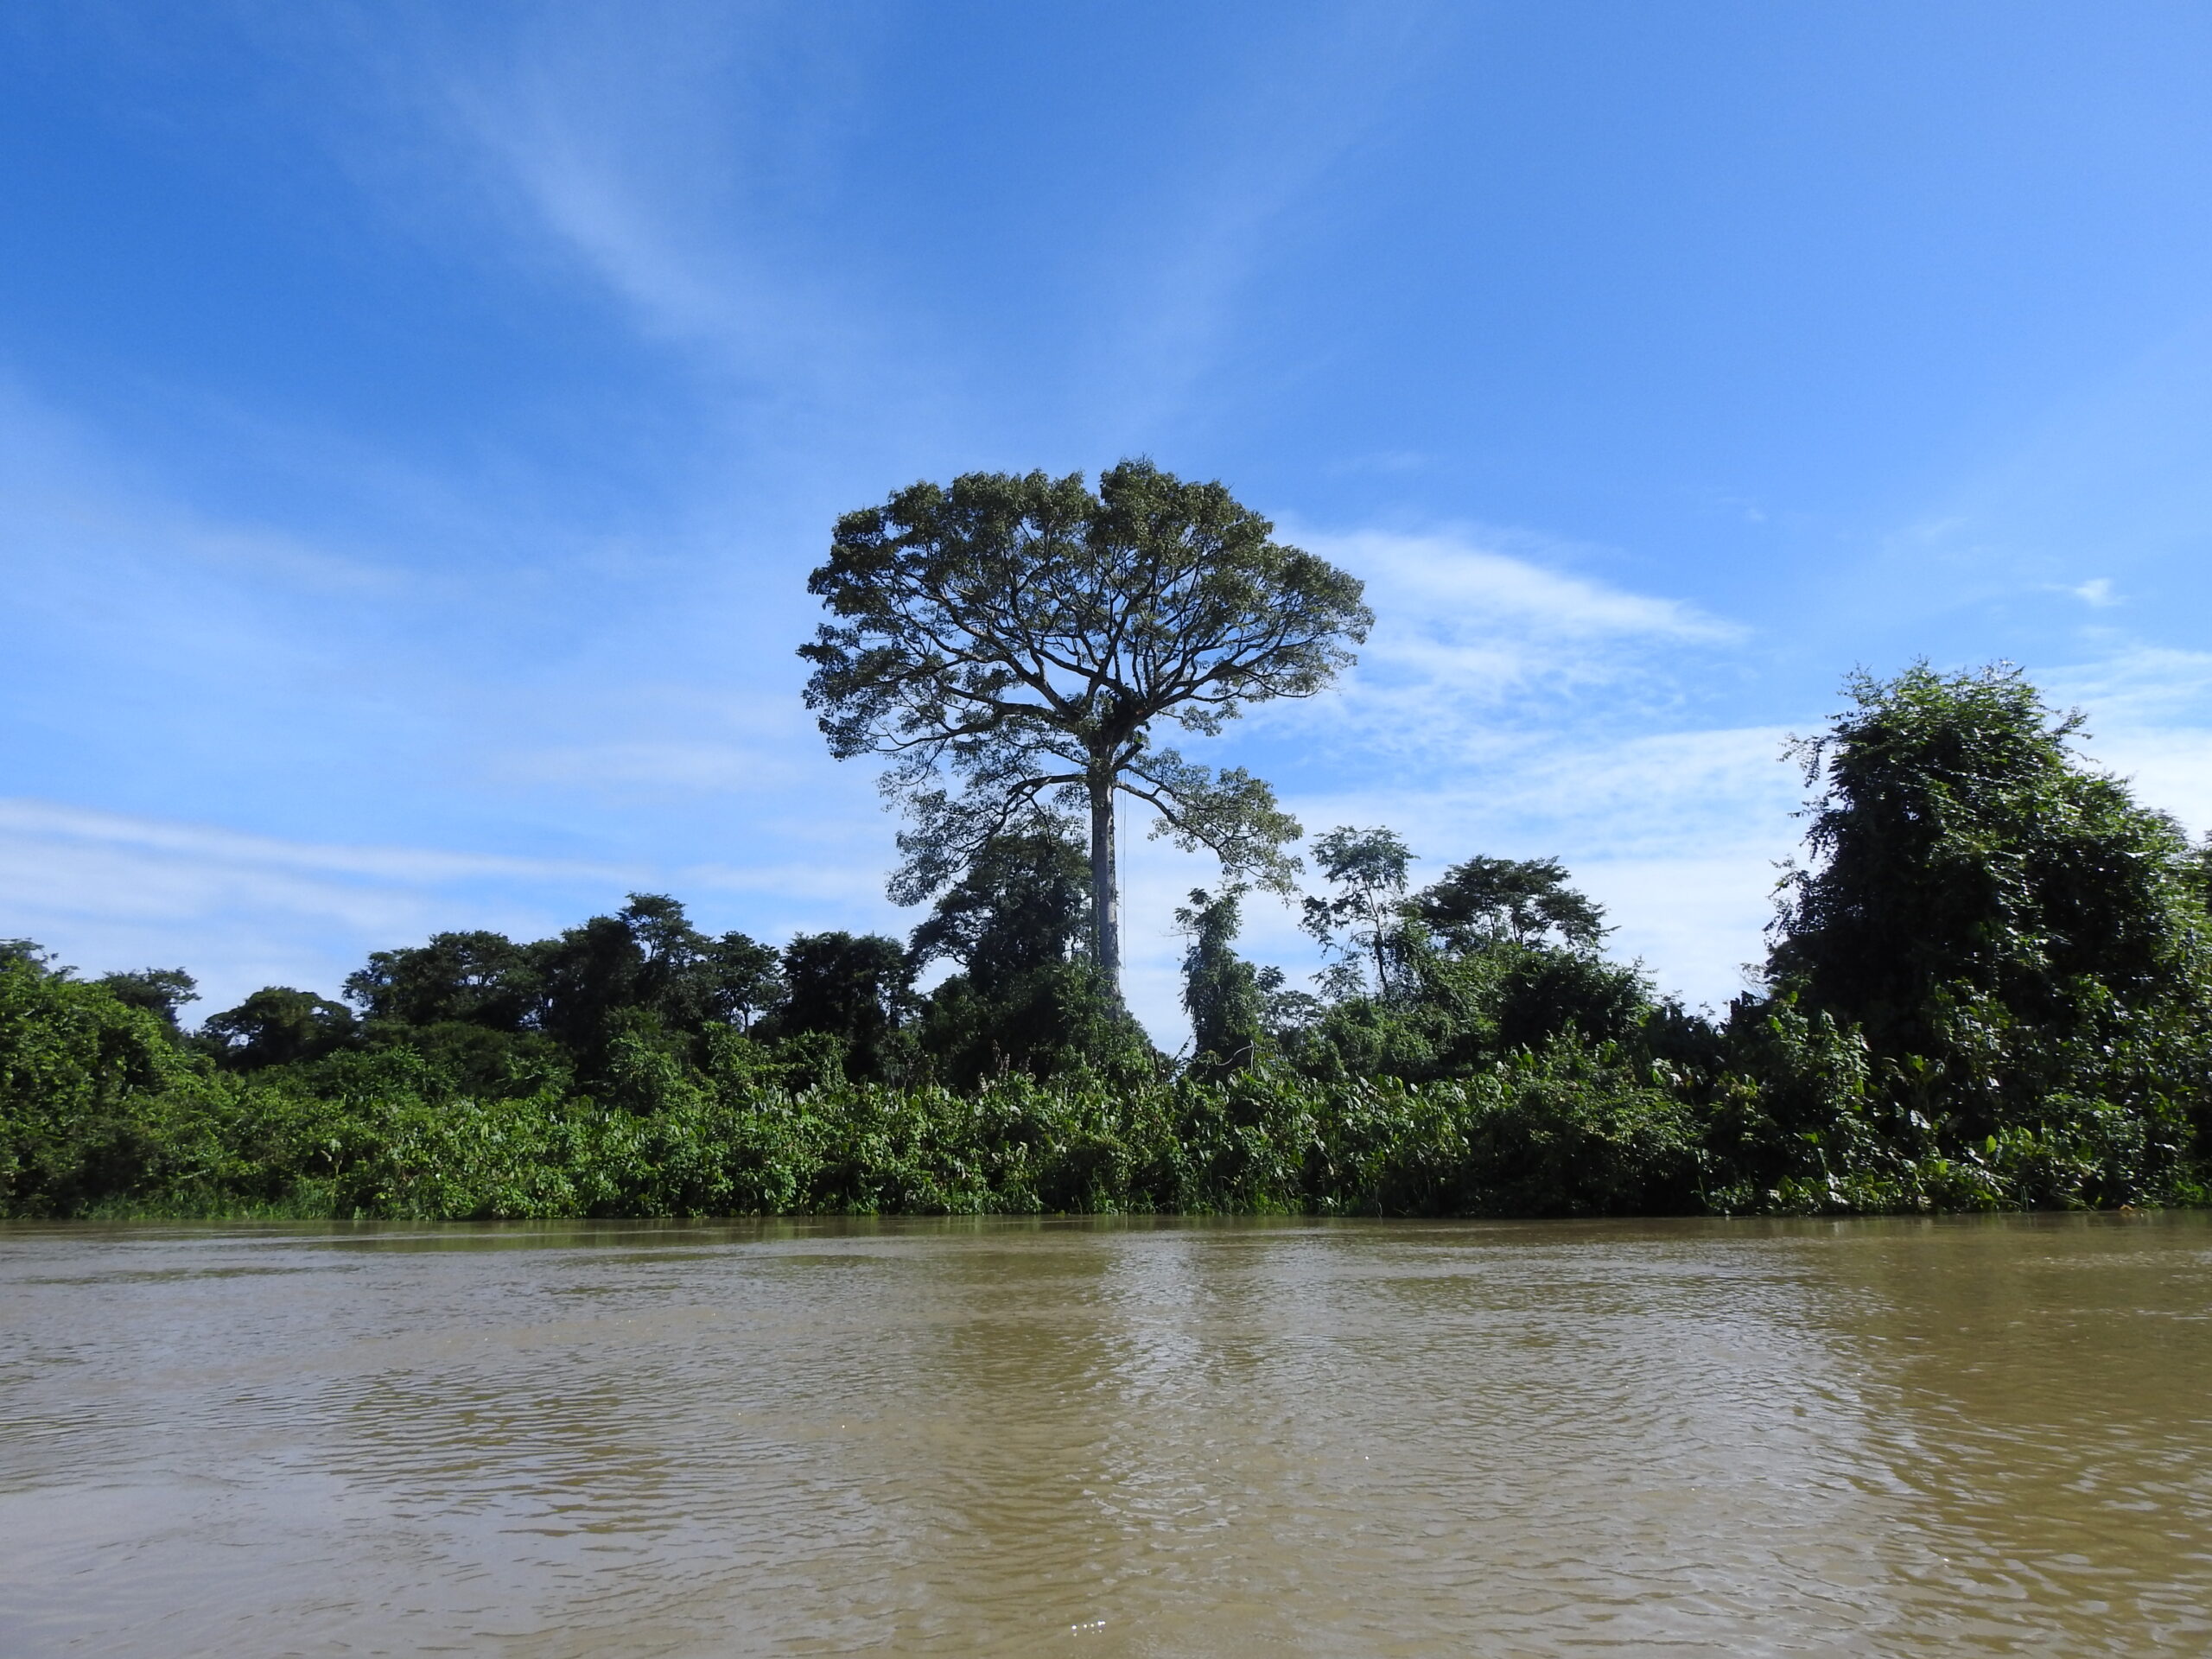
(417, 424)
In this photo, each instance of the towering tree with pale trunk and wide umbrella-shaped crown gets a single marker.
(1010, 643)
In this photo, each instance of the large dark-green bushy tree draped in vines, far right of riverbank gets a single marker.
(2005, 926)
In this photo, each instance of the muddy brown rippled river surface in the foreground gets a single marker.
(1109, 1439)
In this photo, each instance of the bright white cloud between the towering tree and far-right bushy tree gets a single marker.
(1510, 705)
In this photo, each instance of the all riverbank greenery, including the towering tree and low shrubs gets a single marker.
(1987, 983)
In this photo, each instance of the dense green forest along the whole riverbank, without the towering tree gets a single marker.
(1987, 988)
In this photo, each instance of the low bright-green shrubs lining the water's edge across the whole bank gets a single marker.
(103, 1116)
